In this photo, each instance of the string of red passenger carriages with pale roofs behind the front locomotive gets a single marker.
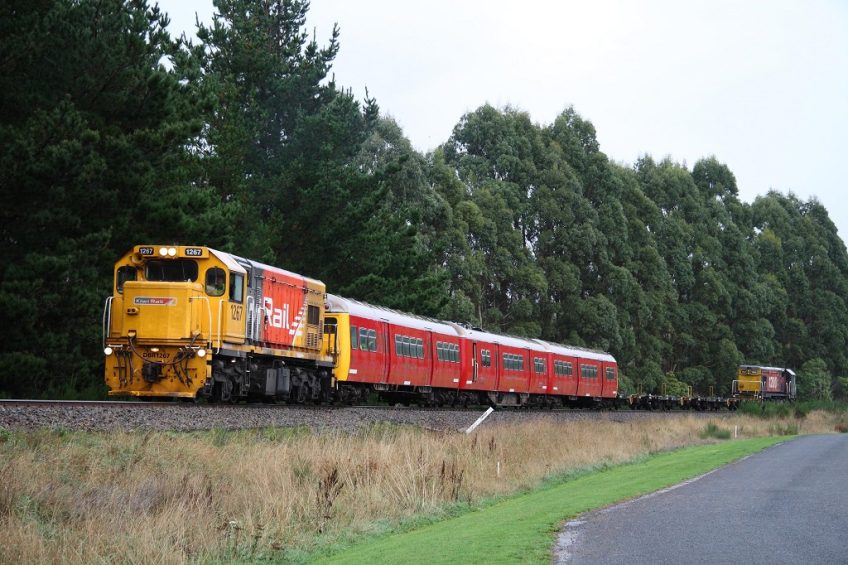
(411, 358)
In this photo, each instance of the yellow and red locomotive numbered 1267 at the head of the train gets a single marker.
(192, 322)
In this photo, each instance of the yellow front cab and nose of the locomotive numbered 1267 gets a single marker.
(170, 308)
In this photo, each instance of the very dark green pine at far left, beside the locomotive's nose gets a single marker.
(90, 121)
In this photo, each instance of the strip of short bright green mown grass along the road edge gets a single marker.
(522, 529)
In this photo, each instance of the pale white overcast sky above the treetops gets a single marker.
(762, 85)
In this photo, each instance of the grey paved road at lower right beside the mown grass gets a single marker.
(788, 504)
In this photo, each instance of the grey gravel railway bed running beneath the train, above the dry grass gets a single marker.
(134, 416)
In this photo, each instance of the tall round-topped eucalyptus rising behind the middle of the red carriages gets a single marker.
(495, 155)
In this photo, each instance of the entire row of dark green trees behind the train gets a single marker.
(114, 133)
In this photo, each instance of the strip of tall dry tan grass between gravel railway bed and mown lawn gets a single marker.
(217, 496)
